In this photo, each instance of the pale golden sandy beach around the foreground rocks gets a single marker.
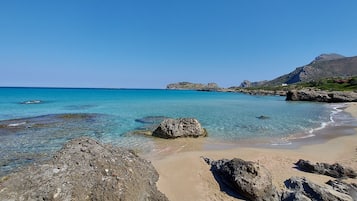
(185, 176)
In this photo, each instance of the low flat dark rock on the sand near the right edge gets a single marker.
(335, 170)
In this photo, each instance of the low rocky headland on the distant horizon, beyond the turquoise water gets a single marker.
(193, 86)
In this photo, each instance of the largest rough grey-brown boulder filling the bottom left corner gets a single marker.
(85, 170)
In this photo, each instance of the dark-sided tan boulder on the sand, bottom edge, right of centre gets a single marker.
(248, 179)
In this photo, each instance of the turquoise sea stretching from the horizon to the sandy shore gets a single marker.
(35, 122)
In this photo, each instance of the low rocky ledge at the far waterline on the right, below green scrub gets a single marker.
(321, 96)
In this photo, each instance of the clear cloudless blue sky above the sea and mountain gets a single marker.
(150, 43)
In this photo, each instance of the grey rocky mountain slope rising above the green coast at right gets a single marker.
(324, 66)
